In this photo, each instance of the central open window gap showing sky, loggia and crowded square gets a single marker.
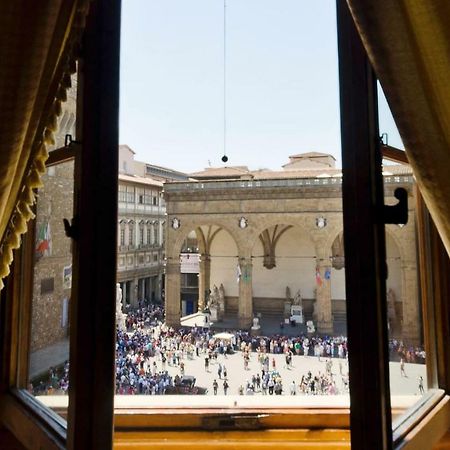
(247, 255)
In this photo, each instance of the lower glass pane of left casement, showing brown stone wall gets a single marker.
(49, 344)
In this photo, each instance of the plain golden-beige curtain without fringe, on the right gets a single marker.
(408, 42)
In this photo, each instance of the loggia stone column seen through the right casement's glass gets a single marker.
(410, 304)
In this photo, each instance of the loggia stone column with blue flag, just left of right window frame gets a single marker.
(323, 308)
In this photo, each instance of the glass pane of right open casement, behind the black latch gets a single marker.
(408, 359)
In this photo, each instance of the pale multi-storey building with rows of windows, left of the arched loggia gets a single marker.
(141, 231)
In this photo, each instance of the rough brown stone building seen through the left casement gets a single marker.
(53, 257)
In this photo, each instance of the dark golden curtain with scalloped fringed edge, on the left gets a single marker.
(36, 44)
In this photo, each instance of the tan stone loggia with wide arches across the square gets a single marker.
(261, 232)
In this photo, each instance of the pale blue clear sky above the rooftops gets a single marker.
(281, 95)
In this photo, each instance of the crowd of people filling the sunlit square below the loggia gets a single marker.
(148, 348)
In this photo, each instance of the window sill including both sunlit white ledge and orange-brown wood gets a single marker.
(306, 423)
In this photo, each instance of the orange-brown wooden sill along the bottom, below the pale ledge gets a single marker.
(176, 428)
